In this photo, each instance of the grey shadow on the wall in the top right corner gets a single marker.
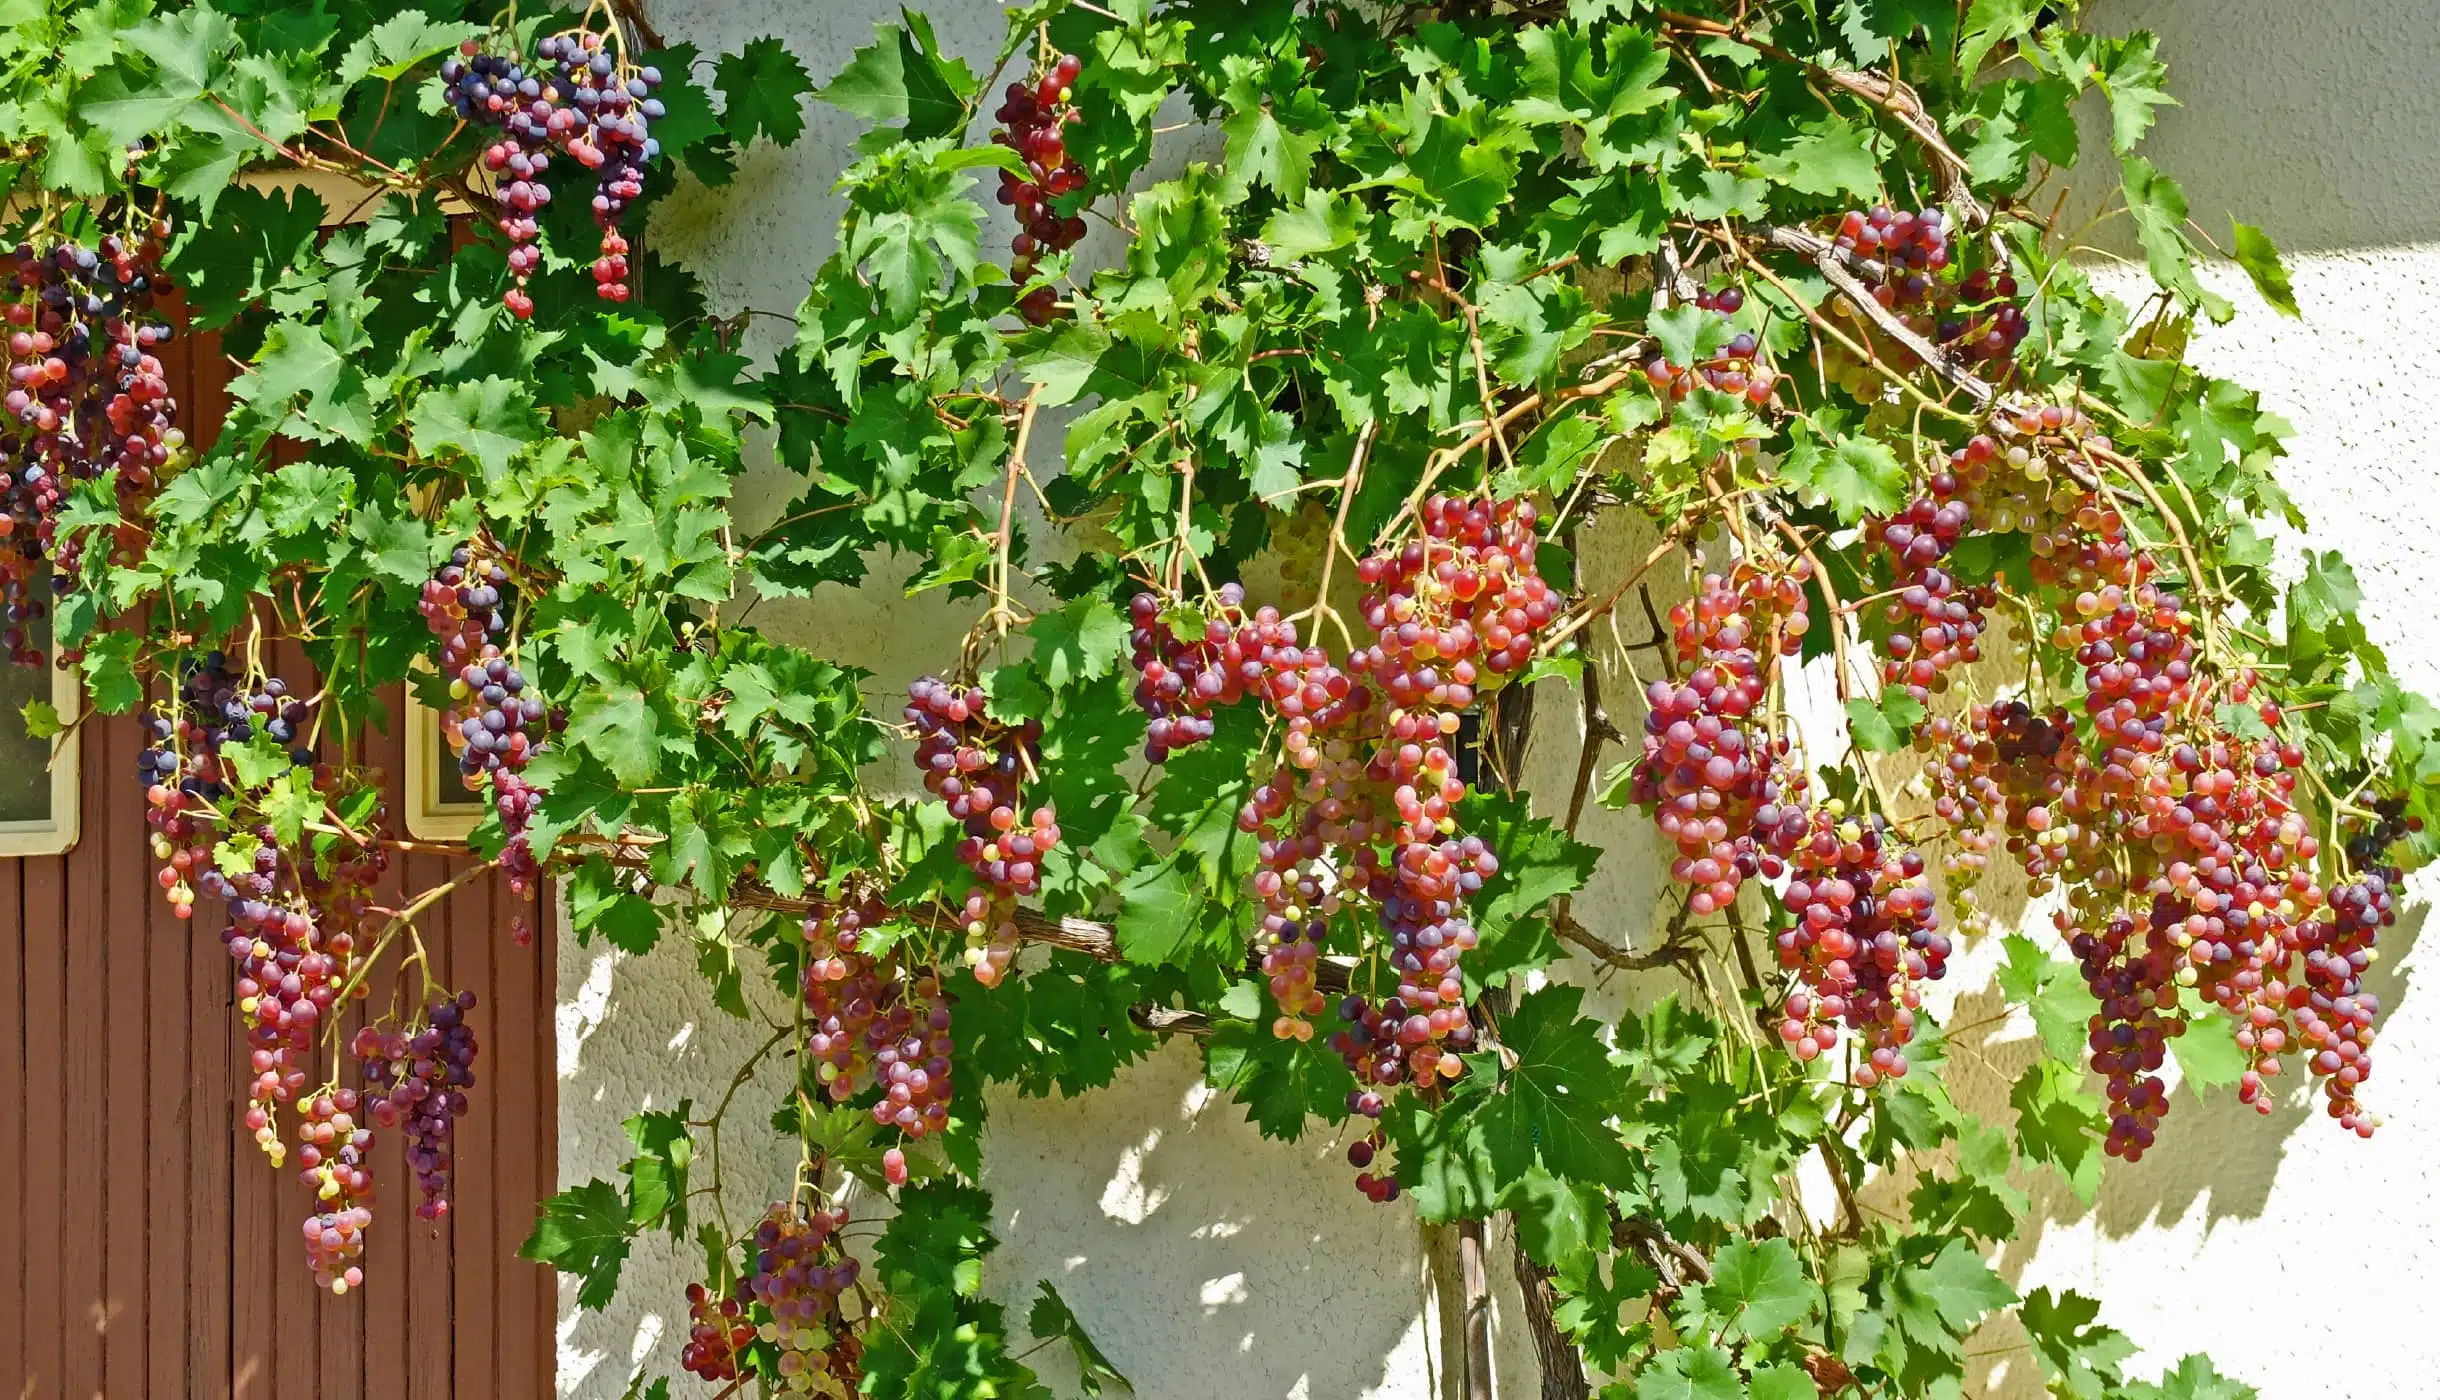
(2309, 121)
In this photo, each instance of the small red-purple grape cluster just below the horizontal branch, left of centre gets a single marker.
(872, 1026)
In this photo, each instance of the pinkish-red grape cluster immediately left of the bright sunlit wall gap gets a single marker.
(1714, 777)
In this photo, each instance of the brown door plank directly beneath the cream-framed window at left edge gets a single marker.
(45, 1121)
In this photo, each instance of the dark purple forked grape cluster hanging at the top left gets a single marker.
(579, 101)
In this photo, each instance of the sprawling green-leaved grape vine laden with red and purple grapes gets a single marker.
(1690, 404)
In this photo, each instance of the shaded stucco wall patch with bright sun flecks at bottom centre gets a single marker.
(1192, 1282)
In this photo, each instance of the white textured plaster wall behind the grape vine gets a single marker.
(1214, 1265)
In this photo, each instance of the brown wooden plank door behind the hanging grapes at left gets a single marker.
(148, 1250)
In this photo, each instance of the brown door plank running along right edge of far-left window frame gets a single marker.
(89, 1018)
